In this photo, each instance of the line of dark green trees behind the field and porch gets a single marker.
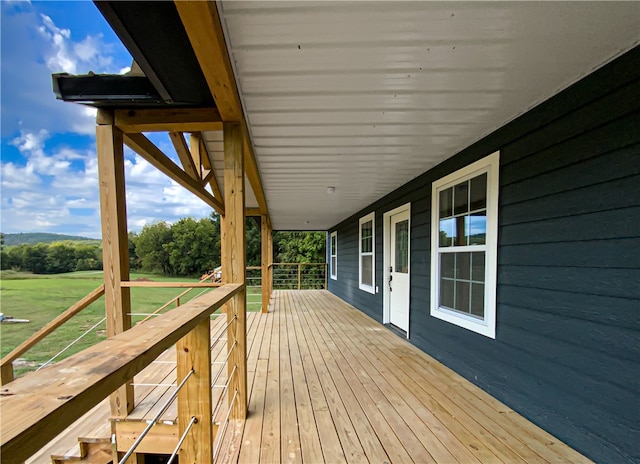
(188, 247)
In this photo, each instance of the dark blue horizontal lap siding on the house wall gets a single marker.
(567, 350)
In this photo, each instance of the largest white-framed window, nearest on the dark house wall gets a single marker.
(464, 246)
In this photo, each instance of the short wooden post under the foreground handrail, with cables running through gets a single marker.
(194, 400)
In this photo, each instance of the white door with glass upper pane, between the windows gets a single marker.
(399, 271)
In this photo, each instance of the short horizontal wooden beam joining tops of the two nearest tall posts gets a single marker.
(164, 120)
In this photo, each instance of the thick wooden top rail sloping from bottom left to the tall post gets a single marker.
(39, 406)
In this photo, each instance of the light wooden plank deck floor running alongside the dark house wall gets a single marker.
(329, 384)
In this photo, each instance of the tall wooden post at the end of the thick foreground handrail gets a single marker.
(235, 257)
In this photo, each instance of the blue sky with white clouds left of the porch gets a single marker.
(48, 162)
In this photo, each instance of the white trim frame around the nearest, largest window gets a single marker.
(490, 165)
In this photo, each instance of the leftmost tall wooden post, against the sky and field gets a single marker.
(115, 246)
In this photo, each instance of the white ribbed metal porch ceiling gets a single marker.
(365, 96)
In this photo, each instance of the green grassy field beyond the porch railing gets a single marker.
(41, 298)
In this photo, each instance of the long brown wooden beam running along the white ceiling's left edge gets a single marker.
(203, 26)
